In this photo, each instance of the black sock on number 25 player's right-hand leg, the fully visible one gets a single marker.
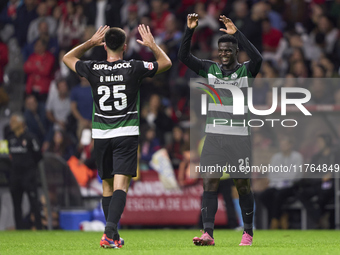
(116, 209)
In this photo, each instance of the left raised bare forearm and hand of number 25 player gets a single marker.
(73, 56)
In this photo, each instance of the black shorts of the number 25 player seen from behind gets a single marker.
(116, 155)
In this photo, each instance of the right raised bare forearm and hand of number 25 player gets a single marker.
(164, 62)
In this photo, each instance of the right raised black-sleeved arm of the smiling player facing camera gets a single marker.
(252, 52)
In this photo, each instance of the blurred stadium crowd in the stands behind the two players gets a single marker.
(297, 38)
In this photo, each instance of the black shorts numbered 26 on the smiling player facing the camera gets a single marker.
(226, 153)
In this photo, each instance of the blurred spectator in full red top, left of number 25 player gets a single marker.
(39, 68)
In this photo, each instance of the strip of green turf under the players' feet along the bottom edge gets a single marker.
(170, 242)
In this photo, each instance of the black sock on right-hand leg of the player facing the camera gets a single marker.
(247, 208)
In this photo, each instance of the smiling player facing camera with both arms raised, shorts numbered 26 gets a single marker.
(224, 143)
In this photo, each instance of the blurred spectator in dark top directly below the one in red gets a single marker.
(35, 117)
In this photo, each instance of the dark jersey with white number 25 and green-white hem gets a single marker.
(115, 91)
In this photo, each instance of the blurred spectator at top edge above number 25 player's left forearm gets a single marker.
(71, 26)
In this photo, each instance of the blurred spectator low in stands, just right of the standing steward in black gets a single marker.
(60, 145)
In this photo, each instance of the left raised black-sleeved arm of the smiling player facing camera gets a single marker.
(184, 53)
